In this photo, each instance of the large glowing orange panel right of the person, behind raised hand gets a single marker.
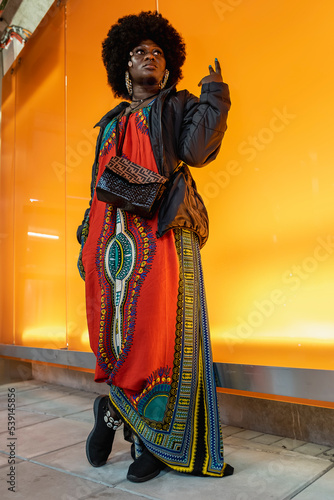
(269, 262)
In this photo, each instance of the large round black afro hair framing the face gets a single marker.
(130, 31)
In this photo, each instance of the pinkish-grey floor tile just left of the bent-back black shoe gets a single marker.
(51, 435)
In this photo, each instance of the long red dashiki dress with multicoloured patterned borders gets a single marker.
(147, 321)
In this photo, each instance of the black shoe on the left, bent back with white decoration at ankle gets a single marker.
(100, 440)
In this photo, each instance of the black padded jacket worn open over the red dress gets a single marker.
(183, 130)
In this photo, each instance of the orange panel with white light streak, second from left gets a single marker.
(40, 287)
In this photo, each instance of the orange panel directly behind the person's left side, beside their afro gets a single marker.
(88, 98)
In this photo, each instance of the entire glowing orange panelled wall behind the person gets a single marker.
(269, 260)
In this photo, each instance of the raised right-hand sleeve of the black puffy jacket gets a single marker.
(204, 124)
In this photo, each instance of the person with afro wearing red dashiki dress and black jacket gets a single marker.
(145, 298)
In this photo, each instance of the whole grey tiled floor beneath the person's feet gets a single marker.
(52, 423)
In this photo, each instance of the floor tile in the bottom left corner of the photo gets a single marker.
(34, 482)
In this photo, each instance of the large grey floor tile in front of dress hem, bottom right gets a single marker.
(258, 476)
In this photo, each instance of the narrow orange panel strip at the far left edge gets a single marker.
(7, 208)
